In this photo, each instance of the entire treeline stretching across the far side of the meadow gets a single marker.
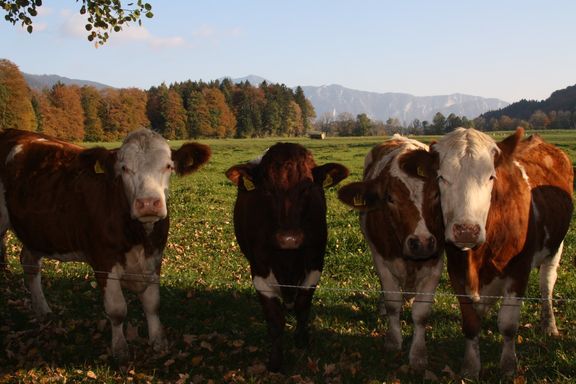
(224, 109)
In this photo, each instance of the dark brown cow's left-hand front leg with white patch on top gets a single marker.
(269, 295)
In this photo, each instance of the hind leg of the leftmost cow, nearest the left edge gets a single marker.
(32, 264)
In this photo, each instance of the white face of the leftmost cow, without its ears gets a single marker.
(145, 164)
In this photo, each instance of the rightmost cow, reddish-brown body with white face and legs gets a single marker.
(507, 207)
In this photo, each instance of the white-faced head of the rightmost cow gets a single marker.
(467, 170)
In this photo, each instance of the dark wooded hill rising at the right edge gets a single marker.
(561, 100)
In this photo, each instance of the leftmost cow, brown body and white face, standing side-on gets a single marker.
(103, 207)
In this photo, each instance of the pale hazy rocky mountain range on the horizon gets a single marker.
(335, 99)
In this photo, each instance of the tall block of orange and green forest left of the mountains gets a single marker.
(218, 109)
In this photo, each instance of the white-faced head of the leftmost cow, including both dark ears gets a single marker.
(145, 162)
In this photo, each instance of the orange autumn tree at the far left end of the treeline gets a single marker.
(15, 102)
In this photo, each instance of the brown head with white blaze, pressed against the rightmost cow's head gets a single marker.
(406, 191)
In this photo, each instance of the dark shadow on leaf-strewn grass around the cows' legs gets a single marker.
(220, 334)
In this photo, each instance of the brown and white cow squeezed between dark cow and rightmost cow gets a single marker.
(401, 220)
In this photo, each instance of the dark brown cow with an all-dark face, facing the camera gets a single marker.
(280, 226)
